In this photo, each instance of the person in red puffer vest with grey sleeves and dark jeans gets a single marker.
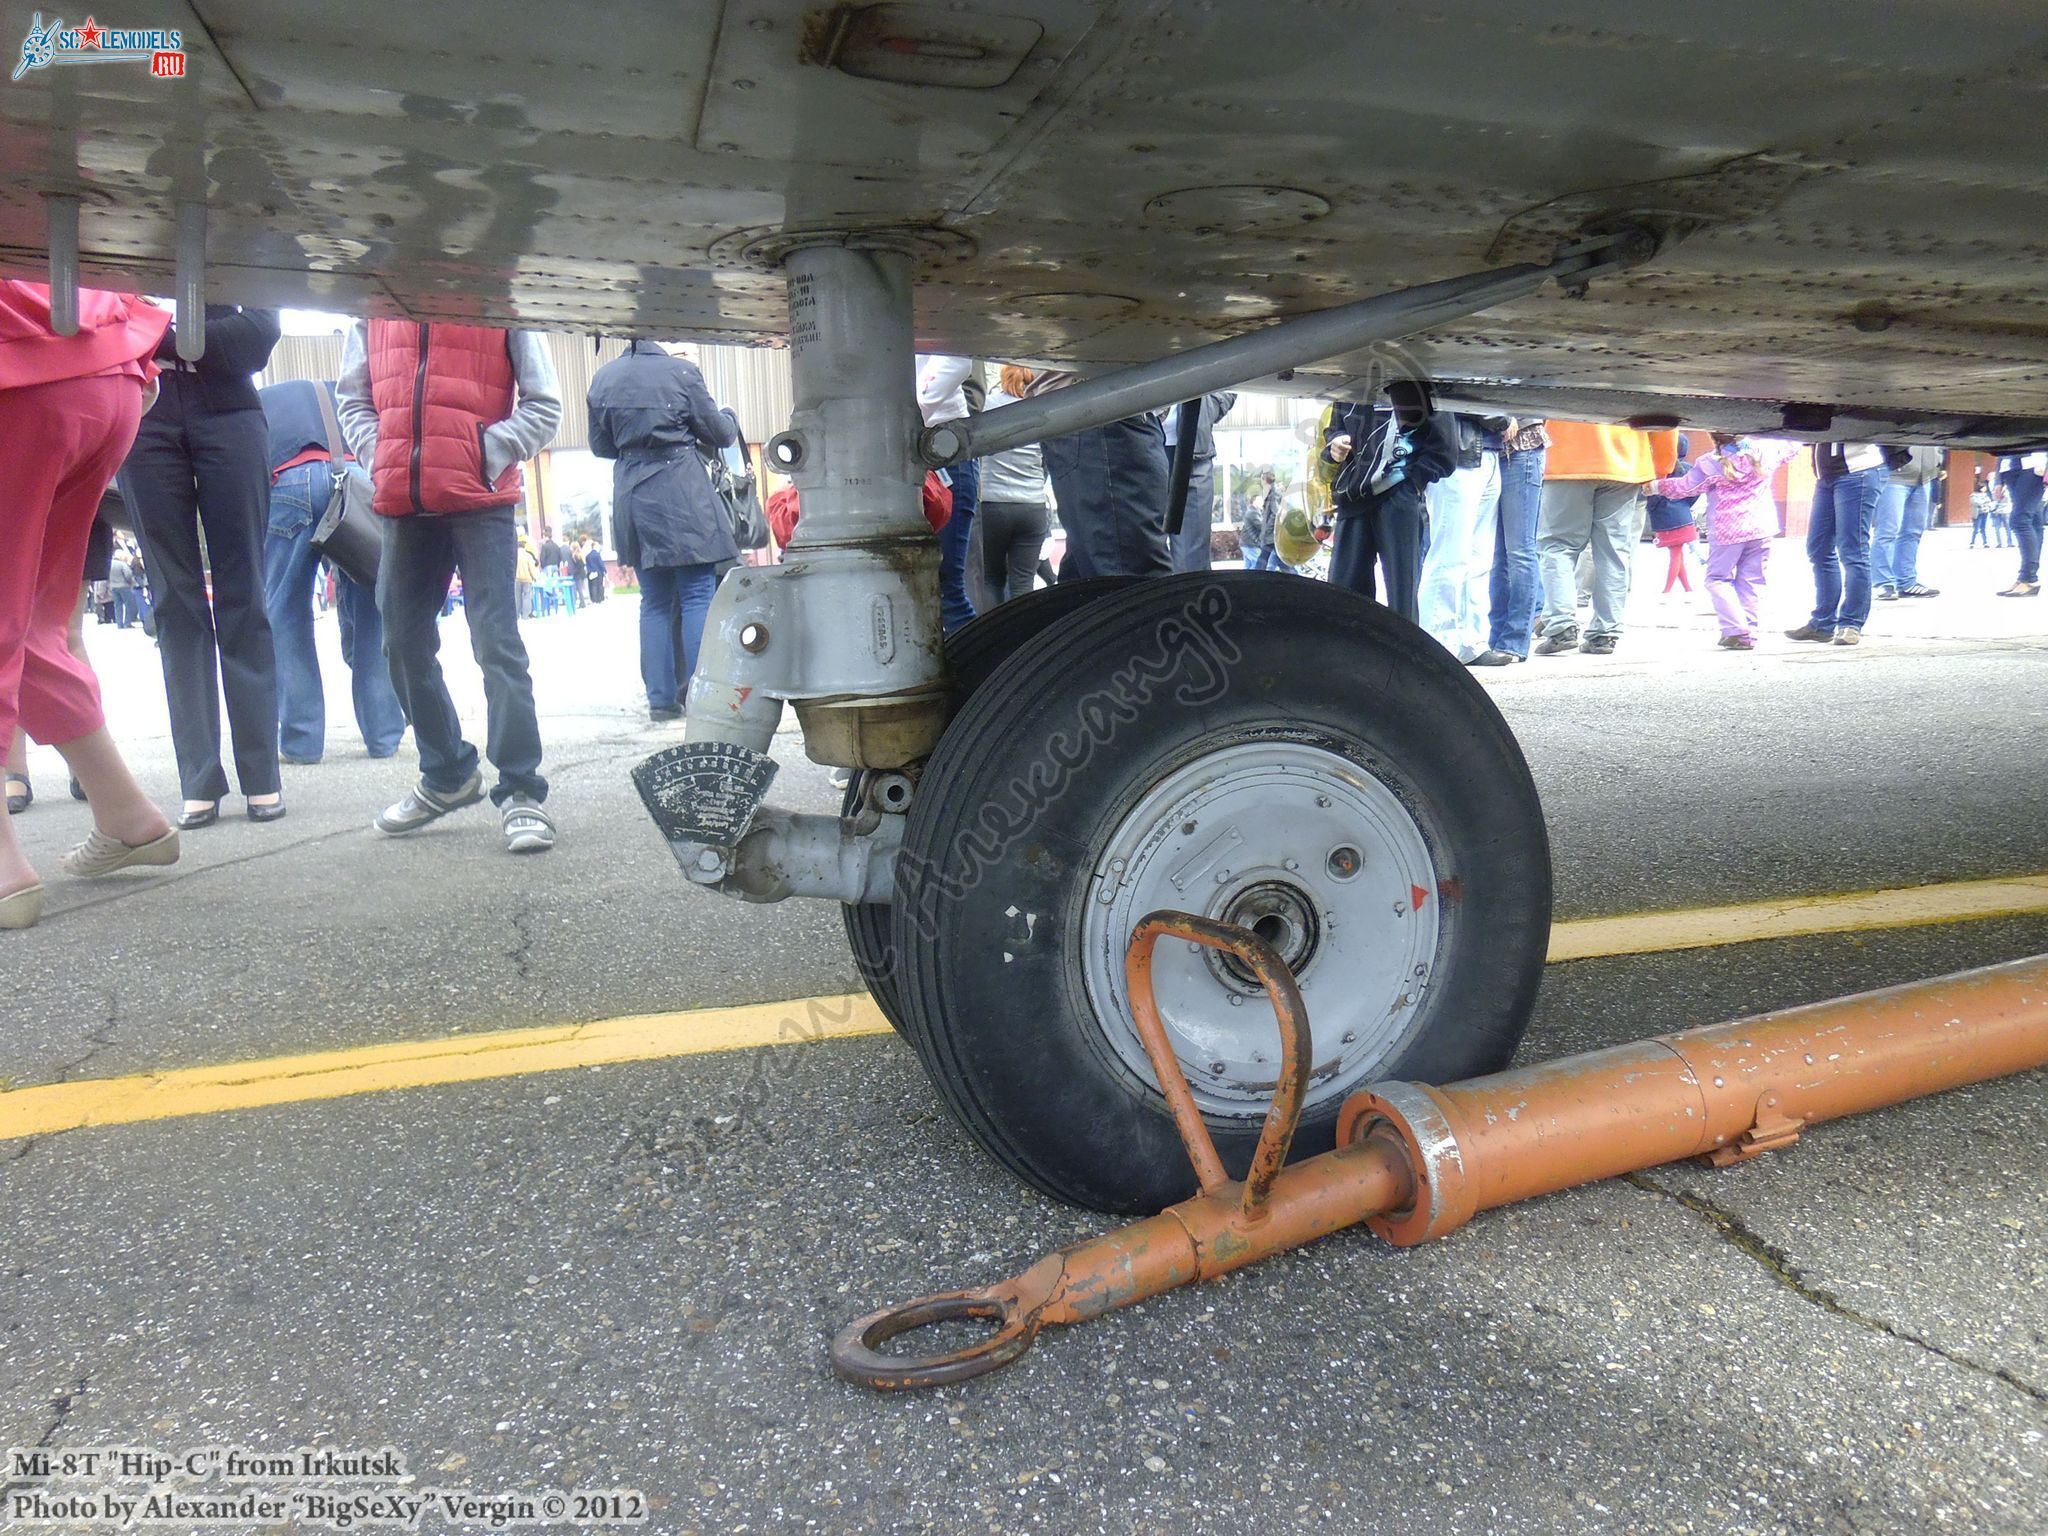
(443, 417)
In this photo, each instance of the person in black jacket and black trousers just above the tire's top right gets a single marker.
(1385, 462)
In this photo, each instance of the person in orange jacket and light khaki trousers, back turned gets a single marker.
(1592, 499)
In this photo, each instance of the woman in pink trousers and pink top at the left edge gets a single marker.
(69, 415)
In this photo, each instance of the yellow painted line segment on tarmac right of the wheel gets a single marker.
(1916, 906)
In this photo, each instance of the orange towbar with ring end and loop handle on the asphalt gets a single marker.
(1418, 1162)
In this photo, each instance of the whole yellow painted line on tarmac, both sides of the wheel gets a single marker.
(654, 1037)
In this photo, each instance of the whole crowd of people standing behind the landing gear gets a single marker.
(1494, 534)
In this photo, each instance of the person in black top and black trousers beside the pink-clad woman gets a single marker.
(202, 464)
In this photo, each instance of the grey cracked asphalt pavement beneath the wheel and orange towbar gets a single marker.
(626, 1277)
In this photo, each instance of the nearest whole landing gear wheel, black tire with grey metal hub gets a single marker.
(1271, 753)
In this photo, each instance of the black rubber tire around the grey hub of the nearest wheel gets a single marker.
(1002, 1007)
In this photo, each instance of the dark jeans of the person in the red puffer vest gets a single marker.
(419, 560)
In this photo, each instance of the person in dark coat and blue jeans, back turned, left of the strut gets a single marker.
(652, 413)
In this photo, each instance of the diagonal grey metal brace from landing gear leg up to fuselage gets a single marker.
(1275, 349)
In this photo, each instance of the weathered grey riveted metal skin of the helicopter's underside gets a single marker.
(1117, 181)
